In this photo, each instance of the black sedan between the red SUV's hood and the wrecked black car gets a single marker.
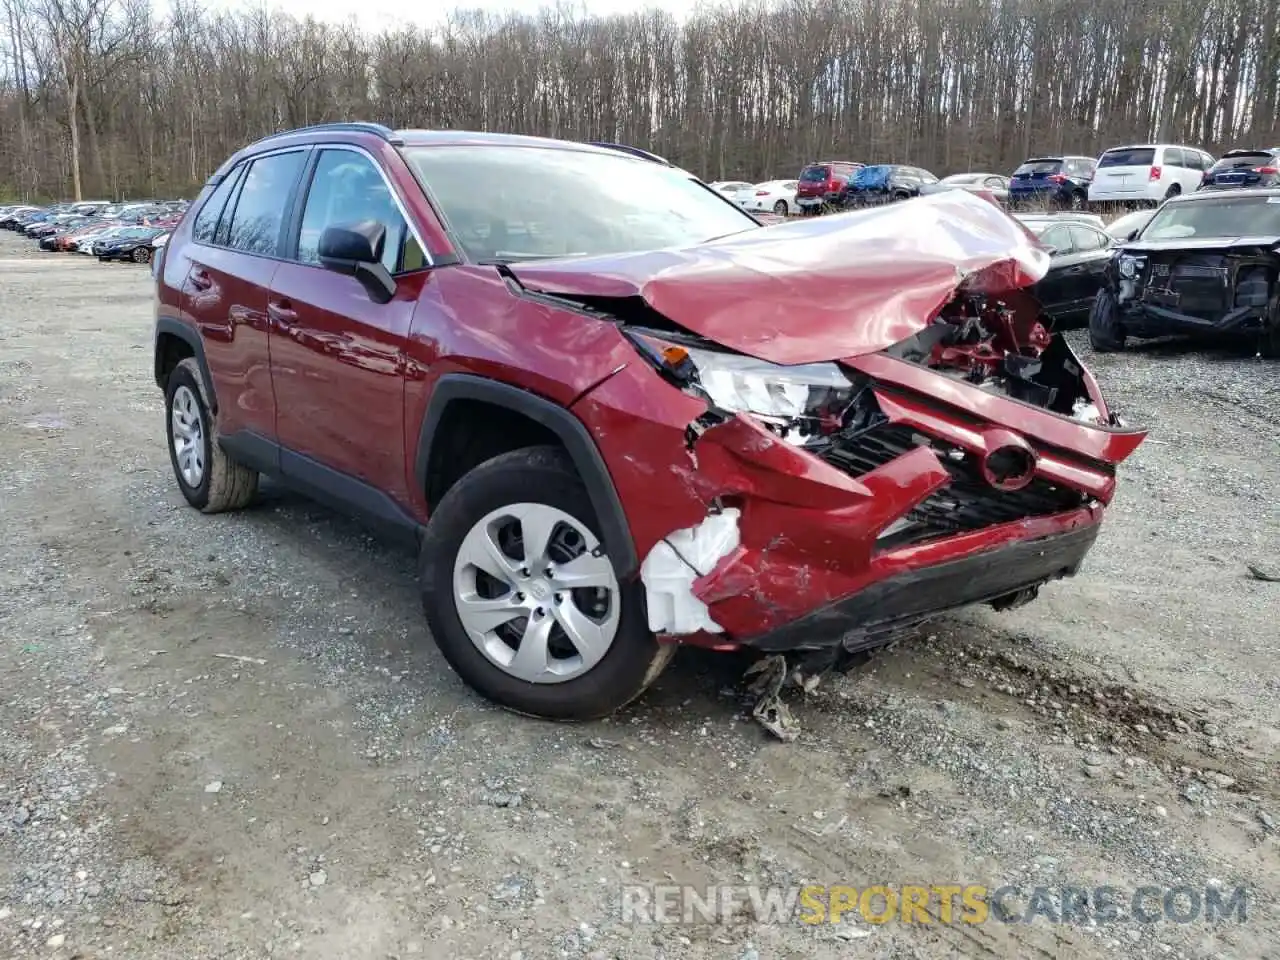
(1080, 252)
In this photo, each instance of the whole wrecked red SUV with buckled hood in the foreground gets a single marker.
(618, 420)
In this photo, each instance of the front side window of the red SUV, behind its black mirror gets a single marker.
(345, 190)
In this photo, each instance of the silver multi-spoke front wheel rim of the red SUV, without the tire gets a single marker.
(536, 593)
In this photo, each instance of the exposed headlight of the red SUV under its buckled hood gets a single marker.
(740, 385)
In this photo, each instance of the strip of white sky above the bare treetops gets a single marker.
(378, 15)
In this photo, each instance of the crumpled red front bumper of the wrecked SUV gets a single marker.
(820, 563)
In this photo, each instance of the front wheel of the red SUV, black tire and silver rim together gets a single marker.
(543, 629)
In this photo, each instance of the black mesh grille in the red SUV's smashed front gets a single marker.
(967, 504)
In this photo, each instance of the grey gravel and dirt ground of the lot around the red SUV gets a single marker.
(340, 794)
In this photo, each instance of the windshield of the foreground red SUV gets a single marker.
(505, 203)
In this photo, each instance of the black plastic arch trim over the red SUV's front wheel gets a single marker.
(616, 533)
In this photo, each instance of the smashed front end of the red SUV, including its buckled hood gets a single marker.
(821, 472)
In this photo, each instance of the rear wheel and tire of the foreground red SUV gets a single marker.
(209, 479)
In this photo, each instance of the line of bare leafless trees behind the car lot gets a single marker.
(118, 98)
